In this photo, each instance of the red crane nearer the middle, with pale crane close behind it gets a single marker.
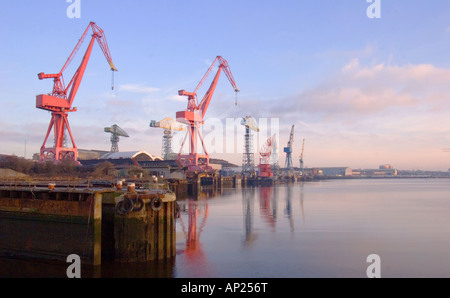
(193, 116)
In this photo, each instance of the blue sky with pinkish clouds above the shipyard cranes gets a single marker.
(361, 91)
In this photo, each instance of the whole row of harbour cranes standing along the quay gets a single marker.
(60, 102)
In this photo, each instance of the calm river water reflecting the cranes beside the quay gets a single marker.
(311, 229)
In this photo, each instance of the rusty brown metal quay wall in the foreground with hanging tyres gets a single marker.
(43, 222)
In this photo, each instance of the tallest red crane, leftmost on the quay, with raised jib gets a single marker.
(59, 102)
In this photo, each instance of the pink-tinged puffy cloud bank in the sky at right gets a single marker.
(368, 91)
